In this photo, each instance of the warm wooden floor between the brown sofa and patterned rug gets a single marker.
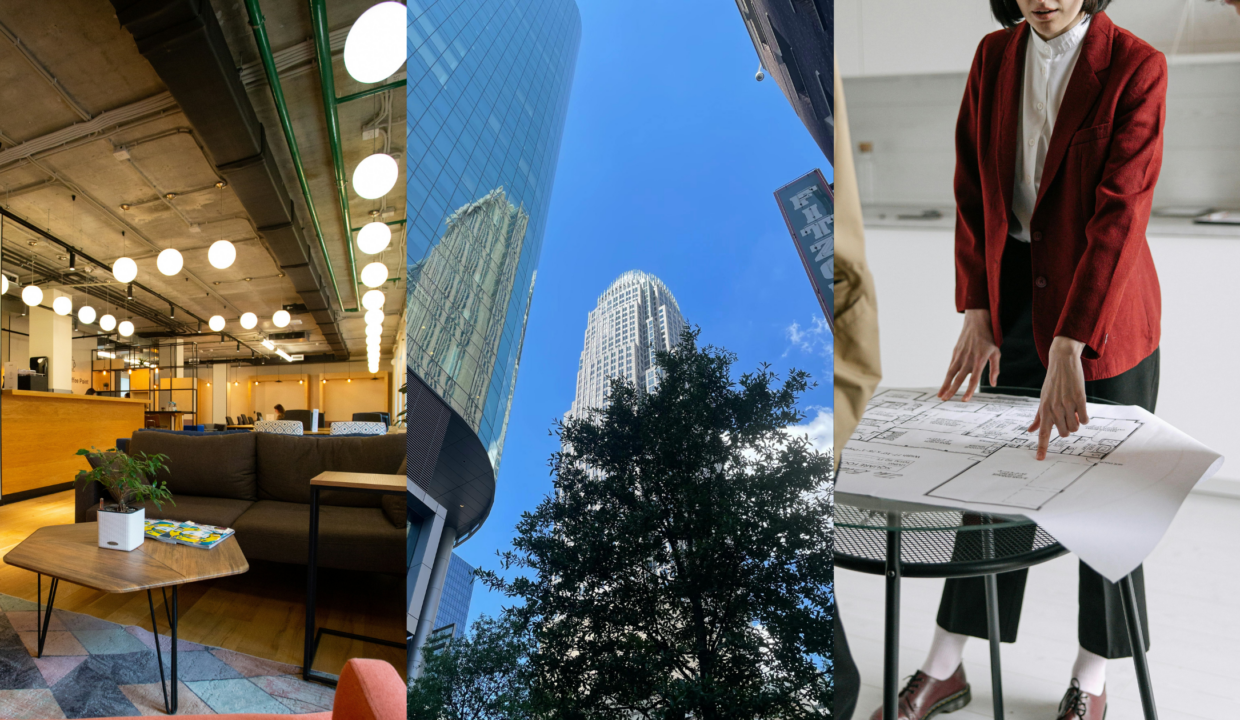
(261, 613)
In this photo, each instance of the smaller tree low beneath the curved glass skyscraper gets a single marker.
(484, 676)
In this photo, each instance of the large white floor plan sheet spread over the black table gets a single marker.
(1108, 493)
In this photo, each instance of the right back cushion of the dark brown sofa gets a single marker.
(288, 464)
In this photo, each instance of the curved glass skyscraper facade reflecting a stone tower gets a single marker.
(488, 95)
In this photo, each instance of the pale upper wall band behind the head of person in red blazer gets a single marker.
(883, 38)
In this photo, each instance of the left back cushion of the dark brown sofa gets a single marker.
(211, 465)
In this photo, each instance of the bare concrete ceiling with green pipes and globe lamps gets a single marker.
(75, 90)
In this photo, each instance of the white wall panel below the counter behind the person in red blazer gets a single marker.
(1200, 386)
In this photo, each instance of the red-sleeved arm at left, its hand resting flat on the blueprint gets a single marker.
(976, 344)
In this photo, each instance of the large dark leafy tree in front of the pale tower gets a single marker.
(681, 568)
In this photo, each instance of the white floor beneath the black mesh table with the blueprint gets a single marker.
(1193, 593)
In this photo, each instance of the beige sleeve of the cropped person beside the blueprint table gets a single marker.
(857, 358)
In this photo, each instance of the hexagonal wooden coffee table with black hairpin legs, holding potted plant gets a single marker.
(73, 553)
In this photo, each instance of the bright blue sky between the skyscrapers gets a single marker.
(670, 159)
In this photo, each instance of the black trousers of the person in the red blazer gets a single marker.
(1100, 626)
